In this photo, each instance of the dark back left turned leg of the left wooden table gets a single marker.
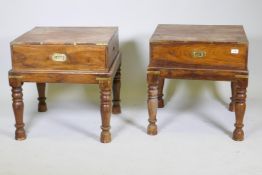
(41, 93)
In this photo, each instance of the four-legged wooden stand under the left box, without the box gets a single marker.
(104, 80)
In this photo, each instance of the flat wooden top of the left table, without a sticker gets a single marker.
(67, 35)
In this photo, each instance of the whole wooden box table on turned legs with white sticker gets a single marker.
(198, 52)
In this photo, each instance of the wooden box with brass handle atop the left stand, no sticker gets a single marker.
(71, 54)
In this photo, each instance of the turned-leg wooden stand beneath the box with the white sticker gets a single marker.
(239, 83)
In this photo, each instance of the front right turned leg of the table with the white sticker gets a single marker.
(240, 107)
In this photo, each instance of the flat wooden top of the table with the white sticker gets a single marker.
(166, 33)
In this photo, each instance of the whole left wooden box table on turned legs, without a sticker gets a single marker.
(86, 55)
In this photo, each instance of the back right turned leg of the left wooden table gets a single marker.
(116, 92)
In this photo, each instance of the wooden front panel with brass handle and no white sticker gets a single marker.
(59, 57)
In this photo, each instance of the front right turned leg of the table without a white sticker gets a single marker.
(105, 109)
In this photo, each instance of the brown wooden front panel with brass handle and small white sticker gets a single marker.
(223, 56)
